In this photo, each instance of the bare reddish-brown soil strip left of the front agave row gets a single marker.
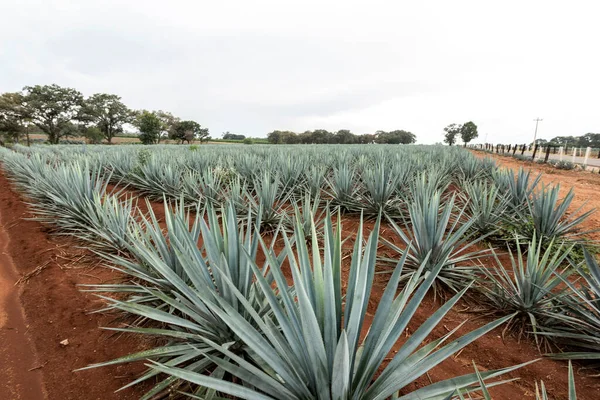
(55, 310)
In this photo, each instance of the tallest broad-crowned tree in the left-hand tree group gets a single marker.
(52, 108)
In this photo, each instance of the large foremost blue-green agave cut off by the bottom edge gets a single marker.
(313, 347)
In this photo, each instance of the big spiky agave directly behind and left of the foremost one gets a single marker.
(171, 275)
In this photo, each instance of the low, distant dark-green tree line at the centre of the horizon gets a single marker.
(343, 136)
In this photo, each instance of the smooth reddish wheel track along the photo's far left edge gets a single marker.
(20, 373)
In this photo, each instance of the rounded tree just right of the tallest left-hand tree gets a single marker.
(107, 113)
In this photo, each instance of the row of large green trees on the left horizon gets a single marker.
(61, 112)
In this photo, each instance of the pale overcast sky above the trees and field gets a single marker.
(251, 67)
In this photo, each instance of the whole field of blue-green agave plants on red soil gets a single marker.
(276, 272)
